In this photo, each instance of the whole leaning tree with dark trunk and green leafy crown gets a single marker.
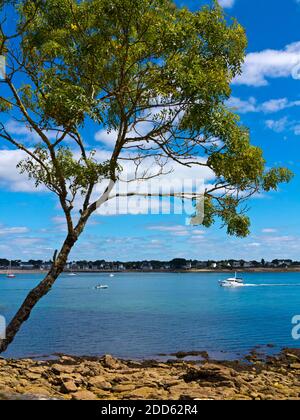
(154, 75)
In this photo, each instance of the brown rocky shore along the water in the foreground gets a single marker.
(113, 379)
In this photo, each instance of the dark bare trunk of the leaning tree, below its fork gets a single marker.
(37, 293)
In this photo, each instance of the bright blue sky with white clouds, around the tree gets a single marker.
(268, 100)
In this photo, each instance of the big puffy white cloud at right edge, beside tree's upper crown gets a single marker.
(261, 66)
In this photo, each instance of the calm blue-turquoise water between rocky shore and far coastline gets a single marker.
(142, 315)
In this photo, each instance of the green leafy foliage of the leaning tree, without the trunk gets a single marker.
(111, 61)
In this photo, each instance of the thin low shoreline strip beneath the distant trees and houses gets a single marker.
(192, 271)
